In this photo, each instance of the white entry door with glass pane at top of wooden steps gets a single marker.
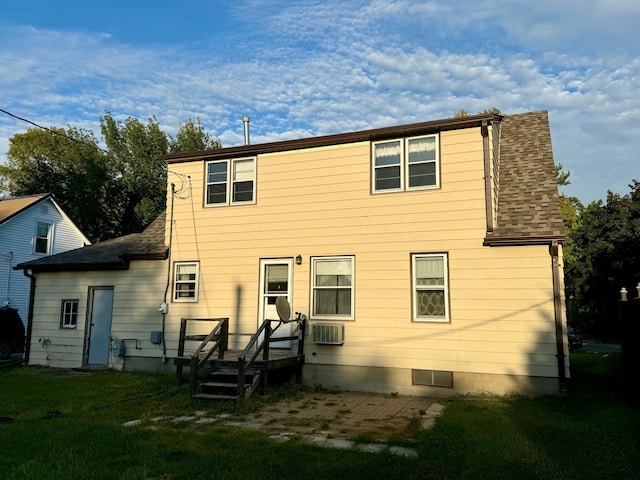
(275, 281)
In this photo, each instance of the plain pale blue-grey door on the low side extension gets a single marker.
(99, 325)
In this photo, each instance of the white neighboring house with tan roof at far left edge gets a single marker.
(31, 227)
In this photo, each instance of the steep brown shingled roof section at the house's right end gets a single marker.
(528, 202)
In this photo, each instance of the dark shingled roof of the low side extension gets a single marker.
(112, 254)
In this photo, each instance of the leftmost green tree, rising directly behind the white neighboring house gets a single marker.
(68, 165)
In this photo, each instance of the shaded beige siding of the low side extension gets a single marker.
(134, 312)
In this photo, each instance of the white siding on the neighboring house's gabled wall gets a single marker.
(17, 245)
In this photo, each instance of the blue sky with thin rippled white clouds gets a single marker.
(302, 68)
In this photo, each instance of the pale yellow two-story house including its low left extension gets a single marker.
(427, 258)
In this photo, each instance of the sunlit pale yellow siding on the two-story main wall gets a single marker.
(318, 202)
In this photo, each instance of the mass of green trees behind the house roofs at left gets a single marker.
(106, 193)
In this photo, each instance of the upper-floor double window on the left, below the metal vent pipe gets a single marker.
(230, 182)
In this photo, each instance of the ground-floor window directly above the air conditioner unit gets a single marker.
(332, 288)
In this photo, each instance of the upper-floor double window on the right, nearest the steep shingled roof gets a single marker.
(405, 164)
